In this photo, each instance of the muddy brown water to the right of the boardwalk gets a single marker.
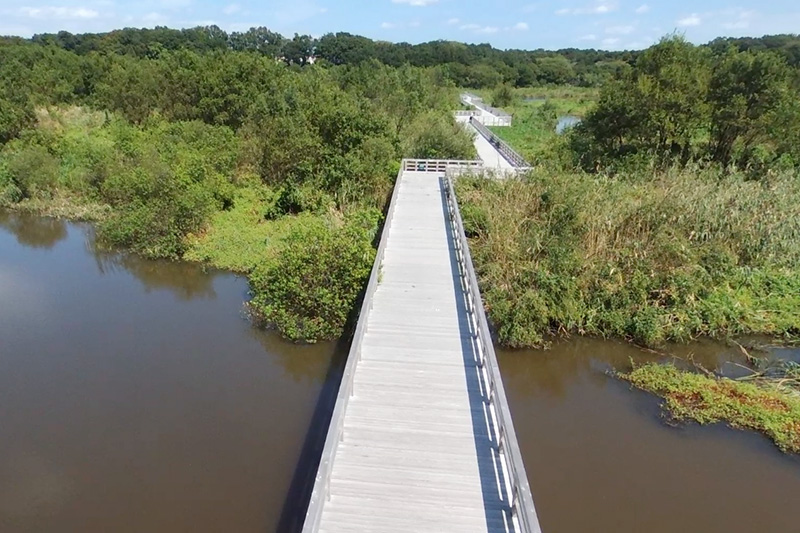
(600, 457)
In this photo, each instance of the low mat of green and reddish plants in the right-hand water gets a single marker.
(708, 400)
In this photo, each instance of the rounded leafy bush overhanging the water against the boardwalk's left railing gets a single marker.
(310, 287)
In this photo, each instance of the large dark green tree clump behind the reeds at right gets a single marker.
(680, 103)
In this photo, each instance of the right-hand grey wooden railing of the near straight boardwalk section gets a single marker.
(520, 495)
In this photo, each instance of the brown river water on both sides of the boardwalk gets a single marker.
(136, 397)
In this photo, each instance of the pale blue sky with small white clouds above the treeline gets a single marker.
(527, 24)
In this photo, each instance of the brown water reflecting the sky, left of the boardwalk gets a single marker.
(134, 396)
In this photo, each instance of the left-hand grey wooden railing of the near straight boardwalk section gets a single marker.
(321, 490)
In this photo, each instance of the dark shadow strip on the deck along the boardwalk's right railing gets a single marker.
(490, 467)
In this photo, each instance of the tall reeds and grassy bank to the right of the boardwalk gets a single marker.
(664, 257)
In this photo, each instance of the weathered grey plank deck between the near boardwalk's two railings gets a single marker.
(417, 451)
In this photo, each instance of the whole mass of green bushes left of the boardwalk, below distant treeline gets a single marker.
(223, 156)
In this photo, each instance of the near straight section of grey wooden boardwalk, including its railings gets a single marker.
(421, 438)
